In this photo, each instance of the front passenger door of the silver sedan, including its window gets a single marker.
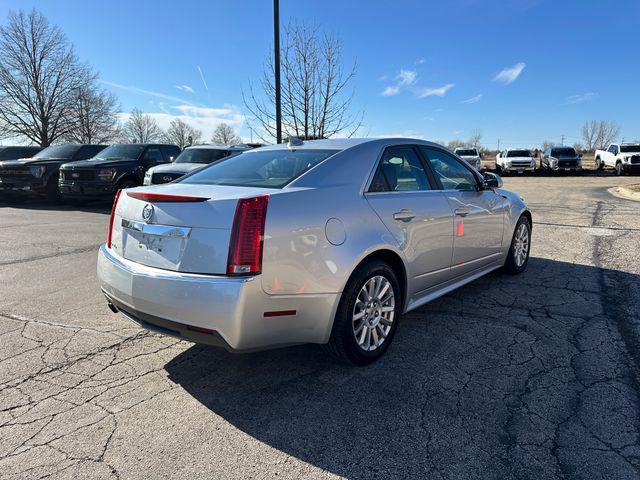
(478, 213)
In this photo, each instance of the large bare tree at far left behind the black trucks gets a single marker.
(39, 75)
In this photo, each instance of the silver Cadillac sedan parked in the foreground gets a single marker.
(326, 241)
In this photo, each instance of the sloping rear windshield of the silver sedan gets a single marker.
(267, 169)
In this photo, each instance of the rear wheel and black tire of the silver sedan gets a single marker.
(373, 321)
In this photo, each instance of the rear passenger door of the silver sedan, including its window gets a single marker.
(416, 213)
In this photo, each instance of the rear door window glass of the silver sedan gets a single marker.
(400, 170)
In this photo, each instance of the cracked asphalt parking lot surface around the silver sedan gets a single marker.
(534, 376)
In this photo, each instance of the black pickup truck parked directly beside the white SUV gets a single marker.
(116, 167)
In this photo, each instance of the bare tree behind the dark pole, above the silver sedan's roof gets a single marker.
(316, 102)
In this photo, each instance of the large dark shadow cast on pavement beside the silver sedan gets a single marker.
(526, 376)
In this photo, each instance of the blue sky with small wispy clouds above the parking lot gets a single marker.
(522, 71)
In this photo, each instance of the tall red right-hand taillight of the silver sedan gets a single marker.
(245, 249)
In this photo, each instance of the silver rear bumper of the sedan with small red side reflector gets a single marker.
(232, 309)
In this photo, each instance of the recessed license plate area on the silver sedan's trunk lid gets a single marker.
(154, 245)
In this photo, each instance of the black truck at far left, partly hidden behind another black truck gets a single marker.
(38, 175)
